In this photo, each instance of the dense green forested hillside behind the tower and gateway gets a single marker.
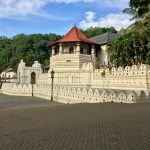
(33, 47)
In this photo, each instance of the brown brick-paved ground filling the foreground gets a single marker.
(105, 126)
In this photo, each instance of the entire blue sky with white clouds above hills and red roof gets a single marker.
(58, 16)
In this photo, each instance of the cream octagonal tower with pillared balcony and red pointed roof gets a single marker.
(70, 52)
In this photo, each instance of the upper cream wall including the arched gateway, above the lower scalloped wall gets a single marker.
(130, 77)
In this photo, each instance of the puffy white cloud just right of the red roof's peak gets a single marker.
(115, 20)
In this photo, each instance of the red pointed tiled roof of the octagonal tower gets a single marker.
(75, 35)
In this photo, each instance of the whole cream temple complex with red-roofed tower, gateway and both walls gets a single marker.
(76, 76)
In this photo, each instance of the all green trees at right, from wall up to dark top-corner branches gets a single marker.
(136, 42)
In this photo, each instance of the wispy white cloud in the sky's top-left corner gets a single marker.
(19, 8)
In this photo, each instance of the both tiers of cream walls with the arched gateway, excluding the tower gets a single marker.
(86, 85)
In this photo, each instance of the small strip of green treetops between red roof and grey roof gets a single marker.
(91, 32)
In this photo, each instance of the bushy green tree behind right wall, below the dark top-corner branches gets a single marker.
(135, 43)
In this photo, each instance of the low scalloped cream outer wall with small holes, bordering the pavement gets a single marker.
(67, 94)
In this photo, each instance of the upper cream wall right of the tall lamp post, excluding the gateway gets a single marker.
(130, 77)
